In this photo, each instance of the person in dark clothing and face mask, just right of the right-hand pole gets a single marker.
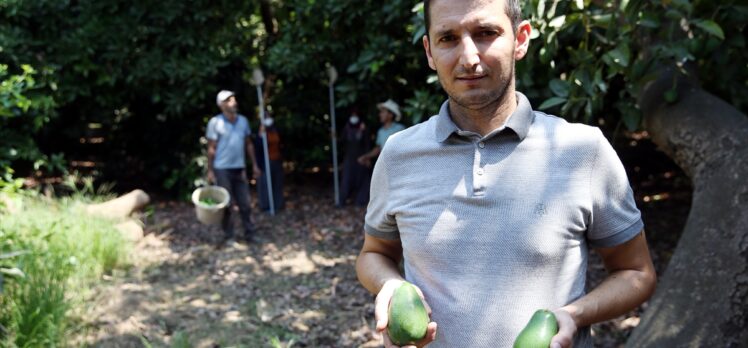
(356, 176)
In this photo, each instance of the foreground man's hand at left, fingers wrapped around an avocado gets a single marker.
(381, 310)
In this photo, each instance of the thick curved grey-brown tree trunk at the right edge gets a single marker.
(702, 299)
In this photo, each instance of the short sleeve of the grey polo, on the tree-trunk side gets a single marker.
(615, 217)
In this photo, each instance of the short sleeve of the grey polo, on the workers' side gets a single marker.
(379, 221)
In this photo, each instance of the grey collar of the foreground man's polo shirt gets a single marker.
(519, 121)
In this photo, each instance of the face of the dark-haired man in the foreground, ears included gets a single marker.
(472, 47)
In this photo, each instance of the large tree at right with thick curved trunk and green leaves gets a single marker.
(676, 69)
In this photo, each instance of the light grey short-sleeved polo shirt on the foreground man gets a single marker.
(495, 227)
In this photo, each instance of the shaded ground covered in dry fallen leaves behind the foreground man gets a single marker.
(298, 287)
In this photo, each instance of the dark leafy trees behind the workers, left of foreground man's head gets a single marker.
(142, 75)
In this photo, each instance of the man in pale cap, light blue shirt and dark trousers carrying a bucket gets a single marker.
(228, 146)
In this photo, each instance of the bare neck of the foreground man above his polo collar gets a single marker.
(485, 119)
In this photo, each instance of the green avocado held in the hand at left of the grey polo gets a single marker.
(408, 318)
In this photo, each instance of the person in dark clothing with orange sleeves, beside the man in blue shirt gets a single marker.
(276, 166)
